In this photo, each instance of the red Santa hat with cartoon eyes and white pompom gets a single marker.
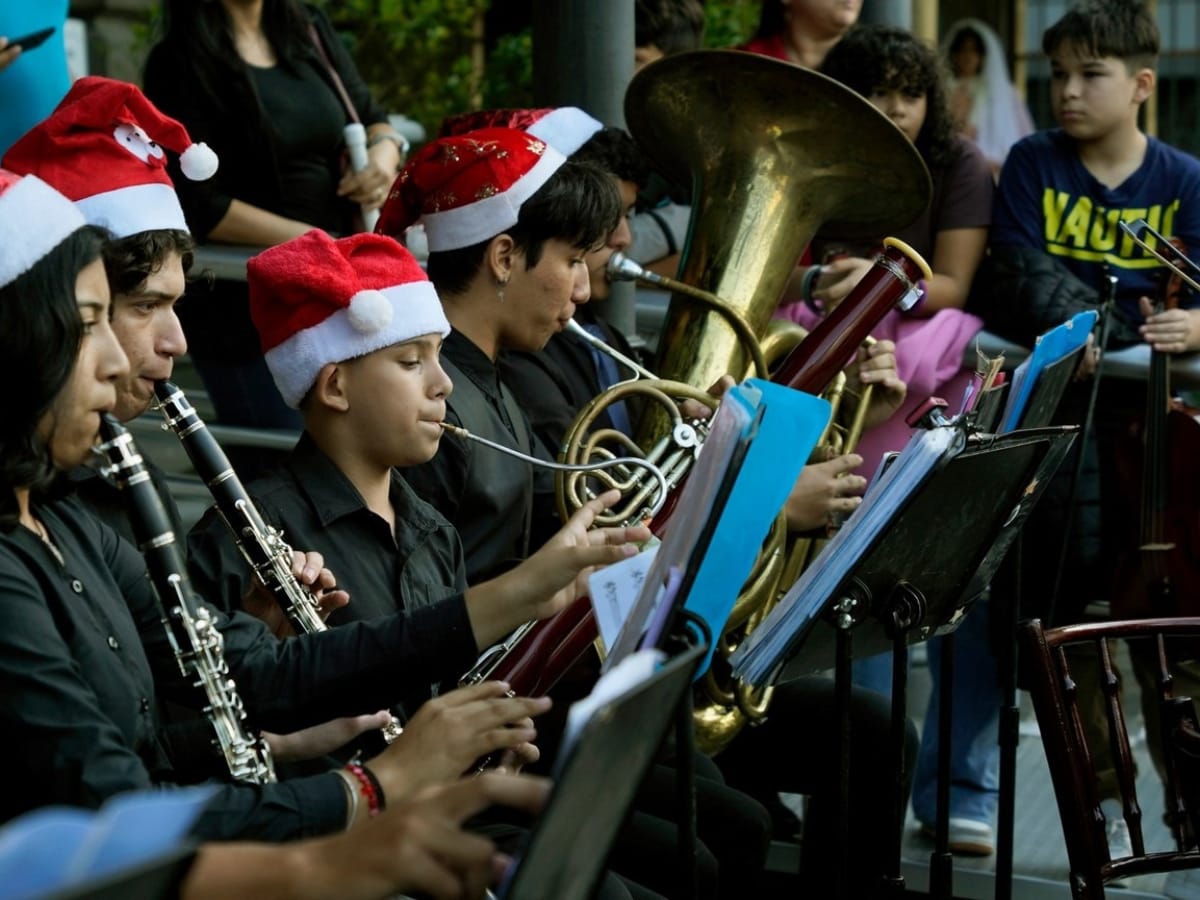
(104, 148)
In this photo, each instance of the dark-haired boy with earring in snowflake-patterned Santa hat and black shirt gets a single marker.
(509, 223)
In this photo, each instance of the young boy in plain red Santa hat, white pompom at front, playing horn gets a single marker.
(352, 332)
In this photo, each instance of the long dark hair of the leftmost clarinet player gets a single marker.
(40, 335)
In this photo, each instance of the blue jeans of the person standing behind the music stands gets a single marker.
(975, 722)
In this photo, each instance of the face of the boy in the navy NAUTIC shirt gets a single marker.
(1095, 97)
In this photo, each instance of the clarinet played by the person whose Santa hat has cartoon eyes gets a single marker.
(262, 547)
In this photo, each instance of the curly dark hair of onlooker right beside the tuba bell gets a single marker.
(873, 58)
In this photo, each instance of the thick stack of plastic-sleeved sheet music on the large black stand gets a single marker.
(770, 645)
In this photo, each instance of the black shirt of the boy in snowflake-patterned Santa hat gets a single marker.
(501, 507)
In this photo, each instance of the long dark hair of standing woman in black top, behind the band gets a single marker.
(200, 31)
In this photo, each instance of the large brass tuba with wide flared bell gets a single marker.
(775, 154)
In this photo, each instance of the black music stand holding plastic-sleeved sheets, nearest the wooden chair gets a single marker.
(919, 580)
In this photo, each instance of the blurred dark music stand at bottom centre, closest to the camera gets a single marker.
(621, 740)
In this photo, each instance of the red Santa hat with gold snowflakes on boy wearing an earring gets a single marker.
(469, 189)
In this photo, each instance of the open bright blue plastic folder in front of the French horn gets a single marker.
(773, 429)
